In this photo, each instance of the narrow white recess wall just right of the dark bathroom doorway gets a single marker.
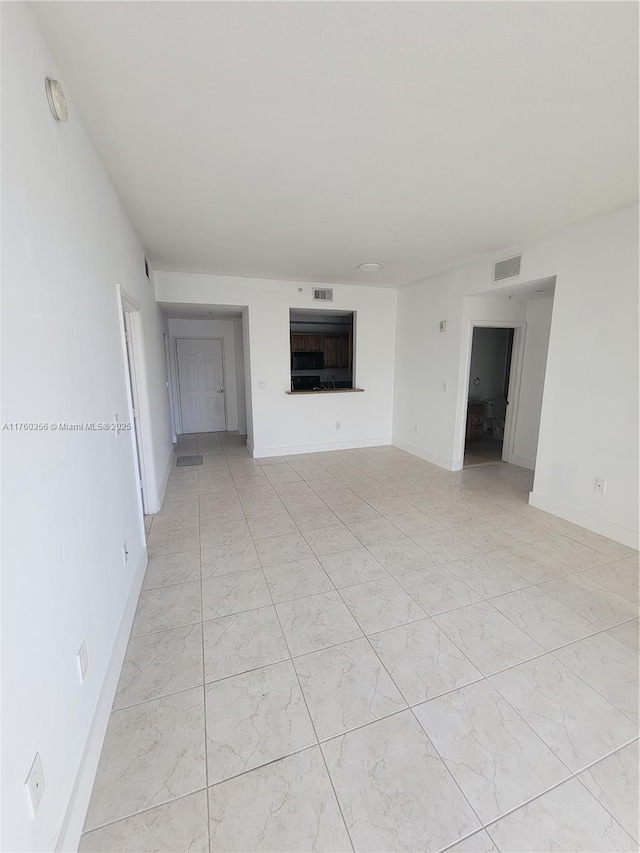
(536, 347)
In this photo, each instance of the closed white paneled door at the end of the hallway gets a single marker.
(201, 384)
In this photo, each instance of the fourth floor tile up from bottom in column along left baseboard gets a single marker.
(167, 607)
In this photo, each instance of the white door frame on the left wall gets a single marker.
(136, 382)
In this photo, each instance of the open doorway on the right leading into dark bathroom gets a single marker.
(492, 392)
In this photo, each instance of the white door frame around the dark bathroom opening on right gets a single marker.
(513, 394)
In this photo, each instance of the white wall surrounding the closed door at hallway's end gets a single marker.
(228, 331)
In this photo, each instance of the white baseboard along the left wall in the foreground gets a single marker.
(69, 835)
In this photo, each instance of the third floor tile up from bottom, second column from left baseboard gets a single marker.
(244, 641)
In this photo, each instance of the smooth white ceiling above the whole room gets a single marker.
(297, 139)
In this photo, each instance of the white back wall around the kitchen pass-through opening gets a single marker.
(285, 423)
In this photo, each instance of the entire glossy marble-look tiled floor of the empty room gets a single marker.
(359, 650)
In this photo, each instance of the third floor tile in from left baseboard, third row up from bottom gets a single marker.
(316, 622)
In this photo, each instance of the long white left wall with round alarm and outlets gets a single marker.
(69, 498)
